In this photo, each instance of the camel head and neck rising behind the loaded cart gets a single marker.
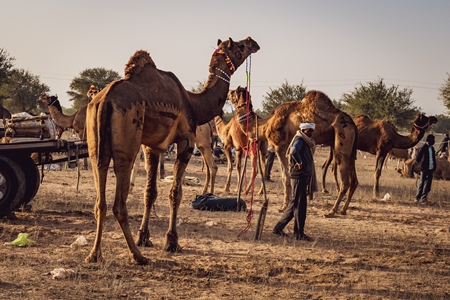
(76, 121)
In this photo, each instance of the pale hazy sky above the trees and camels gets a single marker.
(332, 46)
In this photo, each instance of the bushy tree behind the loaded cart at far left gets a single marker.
(22, 91)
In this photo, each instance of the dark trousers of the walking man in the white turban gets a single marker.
(296, 208)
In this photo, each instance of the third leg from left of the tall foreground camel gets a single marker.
(150, 195)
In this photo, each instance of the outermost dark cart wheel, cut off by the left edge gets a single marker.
(12, 186)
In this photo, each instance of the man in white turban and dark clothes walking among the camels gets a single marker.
(300, 153)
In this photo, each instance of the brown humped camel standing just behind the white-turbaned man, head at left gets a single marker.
(333, 127)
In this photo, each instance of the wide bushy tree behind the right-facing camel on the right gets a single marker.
(381, 102)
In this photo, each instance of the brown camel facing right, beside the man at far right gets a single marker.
(378, 137)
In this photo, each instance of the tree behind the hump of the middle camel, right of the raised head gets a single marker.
(280, 95)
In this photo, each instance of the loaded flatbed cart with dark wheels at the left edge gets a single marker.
(22, 138)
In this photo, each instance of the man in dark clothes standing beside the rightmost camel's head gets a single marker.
(426, 157)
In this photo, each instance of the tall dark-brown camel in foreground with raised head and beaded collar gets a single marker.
(151, 107)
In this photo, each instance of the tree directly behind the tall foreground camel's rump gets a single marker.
(99, 77)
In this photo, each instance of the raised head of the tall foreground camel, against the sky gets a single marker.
(234, 53)
